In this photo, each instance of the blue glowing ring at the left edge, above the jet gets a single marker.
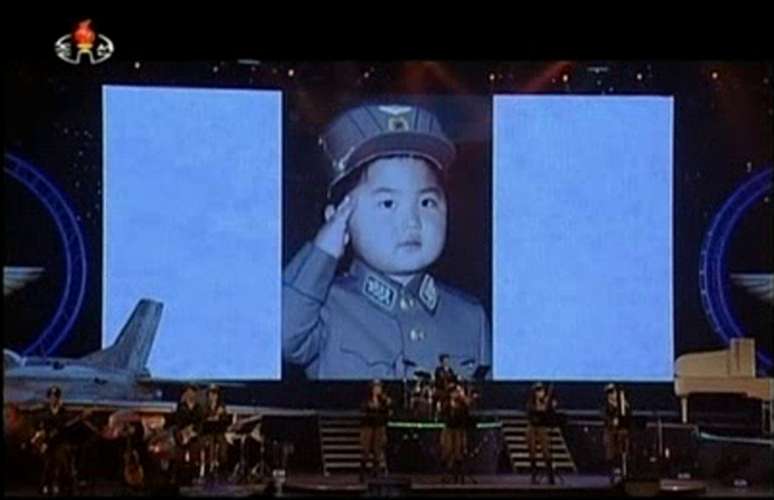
(69, 306)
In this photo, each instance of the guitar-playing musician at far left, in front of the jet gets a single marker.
(50, 441)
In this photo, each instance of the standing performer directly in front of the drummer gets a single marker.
(455, 414)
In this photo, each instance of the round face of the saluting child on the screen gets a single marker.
(399, 223)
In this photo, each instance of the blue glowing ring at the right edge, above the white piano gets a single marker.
(713, 273)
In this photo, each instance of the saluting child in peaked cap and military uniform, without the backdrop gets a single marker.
(386, 198)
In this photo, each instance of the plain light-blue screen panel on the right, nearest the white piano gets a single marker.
(583, 238)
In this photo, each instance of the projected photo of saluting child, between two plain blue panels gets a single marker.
(386, 236)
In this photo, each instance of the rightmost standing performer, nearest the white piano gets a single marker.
(617, 416)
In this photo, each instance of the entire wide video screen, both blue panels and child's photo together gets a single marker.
(526, 237)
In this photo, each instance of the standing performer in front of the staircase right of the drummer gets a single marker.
(541, 413)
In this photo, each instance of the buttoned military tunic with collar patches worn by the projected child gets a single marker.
(364, 325)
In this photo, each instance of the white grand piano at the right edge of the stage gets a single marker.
(730, 371)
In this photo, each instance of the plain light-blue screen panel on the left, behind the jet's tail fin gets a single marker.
(192, 218)
